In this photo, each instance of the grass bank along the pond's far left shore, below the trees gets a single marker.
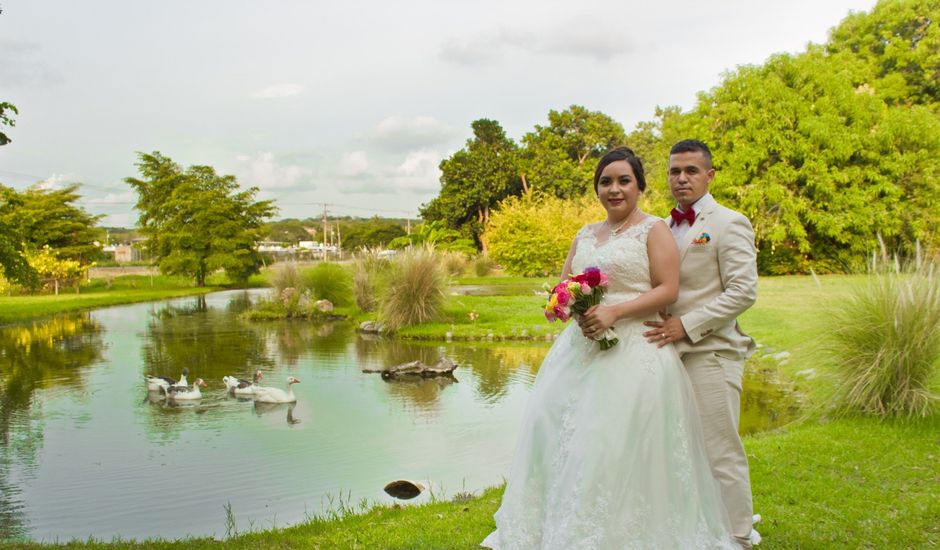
(99, 293)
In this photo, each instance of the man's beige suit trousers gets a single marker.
(717, 384)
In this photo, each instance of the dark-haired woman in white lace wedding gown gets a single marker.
(610, 452)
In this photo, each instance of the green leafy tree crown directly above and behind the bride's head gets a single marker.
(559, 159)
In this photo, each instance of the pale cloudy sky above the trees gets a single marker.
(348, 106)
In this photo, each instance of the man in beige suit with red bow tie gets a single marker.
(718, 282)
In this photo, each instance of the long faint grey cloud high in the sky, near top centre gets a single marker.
(579, 37)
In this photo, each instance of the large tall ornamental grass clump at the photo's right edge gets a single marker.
(886, 346)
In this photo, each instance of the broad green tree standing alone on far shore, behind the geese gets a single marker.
(196, 221)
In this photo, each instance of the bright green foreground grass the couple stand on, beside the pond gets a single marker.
(852, 483)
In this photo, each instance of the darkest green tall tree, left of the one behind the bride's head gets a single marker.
(475, 179)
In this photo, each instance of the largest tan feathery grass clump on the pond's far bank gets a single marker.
(415, 288)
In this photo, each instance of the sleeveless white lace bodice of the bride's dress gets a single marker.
(622, 257)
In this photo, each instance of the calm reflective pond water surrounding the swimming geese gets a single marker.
(87, 452)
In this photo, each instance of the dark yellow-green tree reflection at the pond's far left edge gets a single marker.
(36, 356)
